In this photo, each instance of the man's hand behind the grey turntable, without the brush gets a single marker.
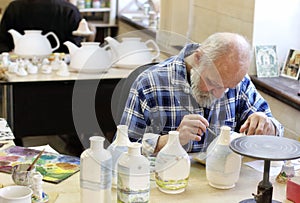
(258, 123)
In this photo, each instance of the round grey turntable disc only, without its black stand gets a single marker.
(266, 147)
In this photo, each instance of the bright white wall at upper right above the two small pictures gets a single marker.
(277, 23)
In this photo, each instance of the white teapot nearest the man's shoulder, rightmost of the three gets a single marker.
(131, 51)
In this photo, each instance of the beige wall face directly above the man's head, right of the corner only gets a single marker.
(219, 16)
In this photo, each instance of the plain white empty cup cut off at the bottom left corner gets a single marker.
(15, 194)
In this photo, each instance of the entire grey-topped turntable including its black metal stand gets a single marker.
(268, 148)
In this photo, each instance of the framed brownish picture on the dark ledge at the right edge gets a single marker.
(291, 68)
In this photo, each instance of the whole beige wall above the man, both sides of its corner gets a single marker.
(197, 19)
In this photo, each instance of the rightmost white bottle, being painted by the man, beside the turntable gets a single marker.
(222, 164)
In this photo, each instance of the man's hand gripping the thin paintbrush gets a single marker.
(192, 127)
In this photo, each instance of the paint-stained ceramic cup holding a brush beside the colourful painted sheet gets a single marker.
(21, 176)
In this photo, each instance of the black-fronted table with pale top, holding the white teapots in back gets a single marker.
(57, 94)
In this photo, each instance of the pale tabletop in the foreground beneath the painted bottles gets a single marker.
(197, 190)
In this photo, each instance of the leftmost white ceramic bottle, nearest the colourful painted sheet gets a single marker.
(95, 173)
